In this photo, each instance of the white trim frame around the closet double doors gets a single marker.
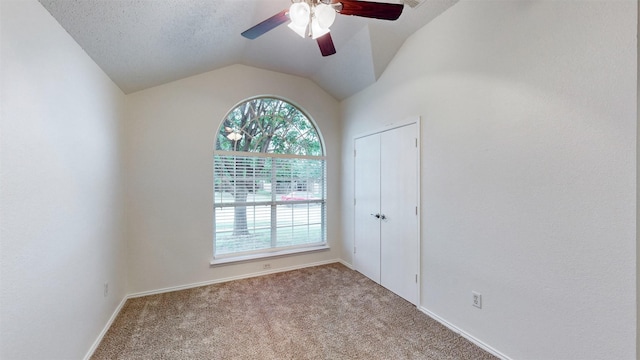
(417, 120)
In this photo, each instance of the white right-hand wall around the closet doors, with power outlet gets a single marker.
(528, 171)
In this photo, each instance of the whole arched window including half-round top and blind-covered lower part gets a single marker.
(269, 181)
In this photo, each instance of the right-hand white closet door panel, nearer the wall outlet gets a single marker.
(398, 203)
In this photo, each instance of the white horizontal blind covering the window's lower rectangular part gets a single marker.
(268, 202)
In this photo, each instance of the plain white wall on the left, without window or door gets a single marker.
(61, 237)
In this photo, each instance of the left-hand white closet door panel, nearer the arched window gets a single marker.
(367, 195)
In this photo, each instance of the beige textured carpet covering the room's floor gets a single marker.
(323, 312)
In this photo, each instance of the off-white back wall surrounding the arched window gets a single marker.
(170, 135)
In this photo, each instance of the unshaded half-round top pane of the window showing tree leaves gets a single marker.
(269, 125)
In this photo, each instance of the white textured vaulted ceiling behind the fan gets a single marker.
(144, 43)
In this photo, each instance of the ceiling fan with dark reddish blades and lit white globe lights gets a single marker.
(312, 18)
